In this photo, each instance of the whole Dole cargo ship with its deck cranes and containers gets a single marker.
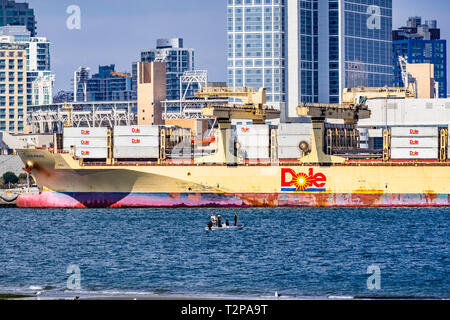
(114, 173)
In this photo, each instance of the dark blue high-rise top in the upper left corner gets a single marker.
(17, 14)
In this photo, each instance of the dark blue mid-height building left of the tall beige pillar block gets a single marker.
(106, 85)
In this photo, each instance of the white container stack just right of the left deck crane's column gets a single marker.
(253, 141)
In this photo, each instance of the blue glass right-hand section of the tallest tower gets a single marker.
(367, 43)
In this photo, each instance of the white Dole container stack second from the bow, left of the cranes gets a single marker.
(136, 142)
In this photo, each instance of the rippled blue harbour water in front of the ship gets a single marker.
(299, 253)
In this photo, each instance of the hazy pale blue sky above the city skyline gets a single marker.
(116, 31)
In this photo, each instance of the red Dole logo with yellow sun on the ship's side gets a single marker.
(302, 181)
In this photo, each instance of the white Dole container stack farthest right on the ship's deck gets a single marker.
(414, 143)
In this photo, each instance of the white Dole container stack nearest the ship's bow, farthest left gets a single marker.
(89, 143)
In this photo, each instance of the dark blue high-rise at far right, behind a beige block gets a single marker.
(421, 43)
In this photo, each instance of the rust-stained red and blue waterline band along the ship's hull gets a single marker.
(300, 200)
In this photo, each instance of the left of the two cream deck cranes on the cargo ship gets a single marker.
(253, 108)
